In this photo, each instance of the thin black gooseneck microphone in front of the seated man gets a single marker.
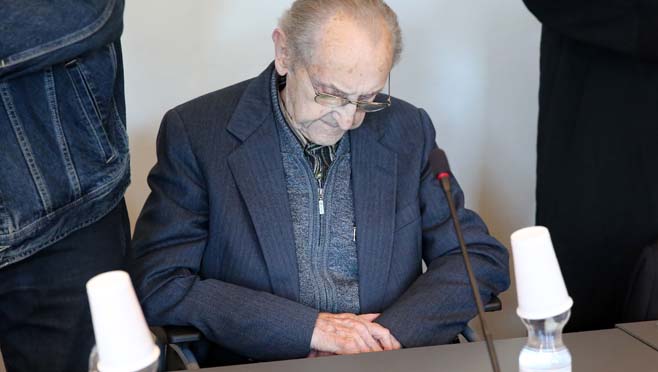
(440, 168)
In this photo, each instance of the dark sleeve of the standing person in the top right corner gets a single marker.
(626, 26)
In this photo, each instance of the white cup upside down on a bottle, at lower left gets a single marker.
(123, 340)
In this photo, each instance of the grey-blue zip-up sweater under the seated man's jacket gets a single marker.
(325, 243)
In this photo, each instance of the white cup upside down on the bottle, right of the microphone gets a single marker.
(540, 288)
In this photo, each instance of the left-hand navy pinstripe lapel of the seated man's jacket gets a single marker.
(257, 168)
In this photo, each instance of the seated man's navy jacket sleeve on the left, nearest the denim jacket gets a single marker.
(169, 243)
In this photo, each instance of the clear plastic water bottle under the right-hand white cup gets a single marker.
(545, 351)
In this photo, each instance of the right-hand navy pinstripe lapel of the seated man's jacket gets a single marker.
(374, 177)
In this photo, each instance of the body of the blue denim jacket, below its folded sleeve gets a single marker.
(63, 150)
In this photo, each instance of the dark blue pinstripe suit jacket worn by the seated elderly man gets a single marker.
(214, 245)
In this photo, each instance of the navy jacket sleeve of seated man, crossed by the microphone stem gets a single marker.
(439, 303)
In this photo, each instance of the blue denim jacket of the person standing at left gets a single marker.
(64, 160)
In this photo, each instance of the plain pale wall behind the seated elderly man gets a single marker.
(472, 65)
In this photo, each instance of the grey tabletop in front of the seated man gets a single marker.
(610, 350)
